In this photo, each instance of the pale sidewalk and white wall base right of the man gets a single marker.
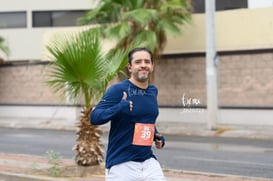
(248, 123)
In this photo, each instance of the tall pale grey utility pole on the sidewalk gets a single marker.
(211, 66)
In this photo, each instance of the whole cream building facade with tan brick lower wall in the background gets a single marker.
(244, 39)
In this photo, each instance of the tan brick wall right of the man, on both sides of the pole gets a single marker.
(244, 79)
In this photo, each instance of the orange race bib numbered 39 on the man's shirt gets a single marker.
(143, 134)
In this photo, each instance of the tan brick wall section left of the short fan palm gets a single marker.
(25, 84)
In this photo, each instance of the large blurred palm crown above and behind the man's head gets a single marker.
(141, 20)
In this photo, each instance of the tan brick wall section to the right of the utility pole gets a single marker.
(246, 79)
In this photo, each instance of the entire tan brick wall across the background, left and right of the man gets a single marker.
(245, 80)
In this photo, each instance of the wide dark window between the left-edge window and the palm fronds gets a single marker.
(55, 18)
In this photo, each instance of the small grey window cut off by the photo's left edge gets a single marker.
(13, 19)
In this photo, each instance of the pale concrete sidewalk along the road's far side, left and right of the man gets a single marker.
(245, 123)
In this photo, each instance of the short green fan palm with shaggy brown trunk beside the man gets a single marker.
(81, 69)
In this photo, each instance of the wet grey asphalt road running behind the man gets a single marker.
(236, 156)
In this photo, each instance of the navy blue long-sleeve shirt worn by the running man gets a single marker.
(113, 108)
